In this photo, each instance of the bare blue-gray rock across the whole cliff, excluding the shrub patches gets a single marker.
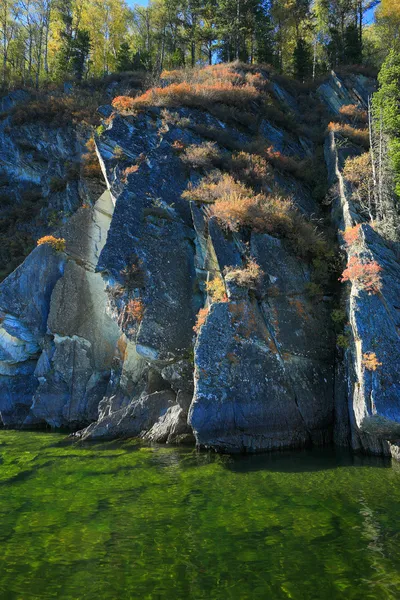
(100, 339)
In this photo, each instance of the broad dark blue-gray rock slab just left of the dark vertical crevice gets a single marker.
(264, 371)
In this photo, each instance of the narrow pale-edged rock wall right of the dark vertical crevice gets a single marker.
(367, 399)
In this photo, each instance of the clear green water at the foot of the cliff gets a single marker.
(119, 521)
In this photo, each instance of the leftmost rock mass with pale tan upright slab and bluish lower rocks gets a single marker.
(56, 336)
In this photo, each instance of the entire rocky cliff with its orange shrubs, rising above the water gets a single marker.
(164, 319)
